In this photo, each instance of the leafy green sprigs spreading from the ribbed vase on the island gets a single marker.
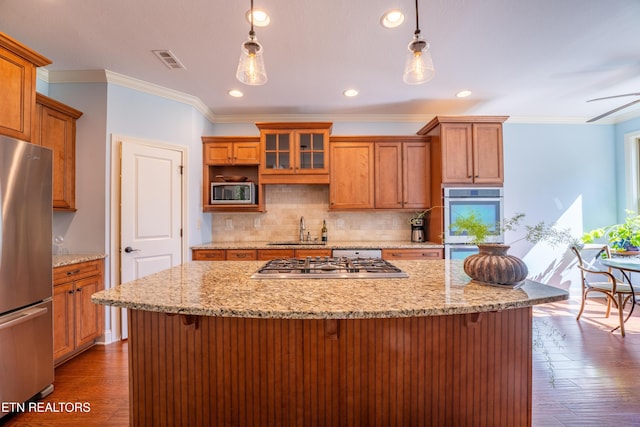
(473, 226)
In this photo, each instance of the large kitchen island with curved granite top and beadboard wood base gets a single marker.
(210, 346)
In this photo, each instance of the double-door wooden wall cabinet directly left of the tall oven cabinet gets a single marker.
(402, 173)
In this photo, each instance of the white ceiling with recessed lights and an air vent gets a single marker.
(533, 59)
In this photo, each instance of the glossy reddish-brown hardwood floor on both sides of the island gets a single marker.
(583, 375)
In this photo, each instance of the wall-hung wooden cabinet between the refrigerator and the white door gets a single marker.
(55, 128)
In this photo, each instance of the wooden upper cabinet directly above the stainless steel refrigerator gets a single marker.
(18, 66)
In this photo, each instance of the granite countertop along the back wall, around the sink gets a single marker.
(400, 244)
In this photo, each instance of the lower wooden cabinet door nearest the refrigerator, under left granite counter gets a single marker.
(63, 315)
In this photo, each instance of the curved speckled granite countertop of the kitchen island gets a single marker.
(434, 287)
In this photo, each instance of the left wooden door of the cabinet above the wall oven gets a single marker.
(457, 153)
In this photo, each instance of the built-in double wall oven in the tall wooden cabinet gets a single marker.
(485, 202)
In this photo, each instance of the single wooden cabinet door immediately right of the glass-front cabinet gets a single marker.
(352, 180)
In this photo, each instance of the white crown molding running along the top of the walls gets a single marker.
(111, 77)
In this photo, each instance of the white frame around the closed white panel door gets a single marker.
(114, 319)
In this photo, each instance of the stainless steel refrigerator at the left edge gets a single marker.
(26, 320)
